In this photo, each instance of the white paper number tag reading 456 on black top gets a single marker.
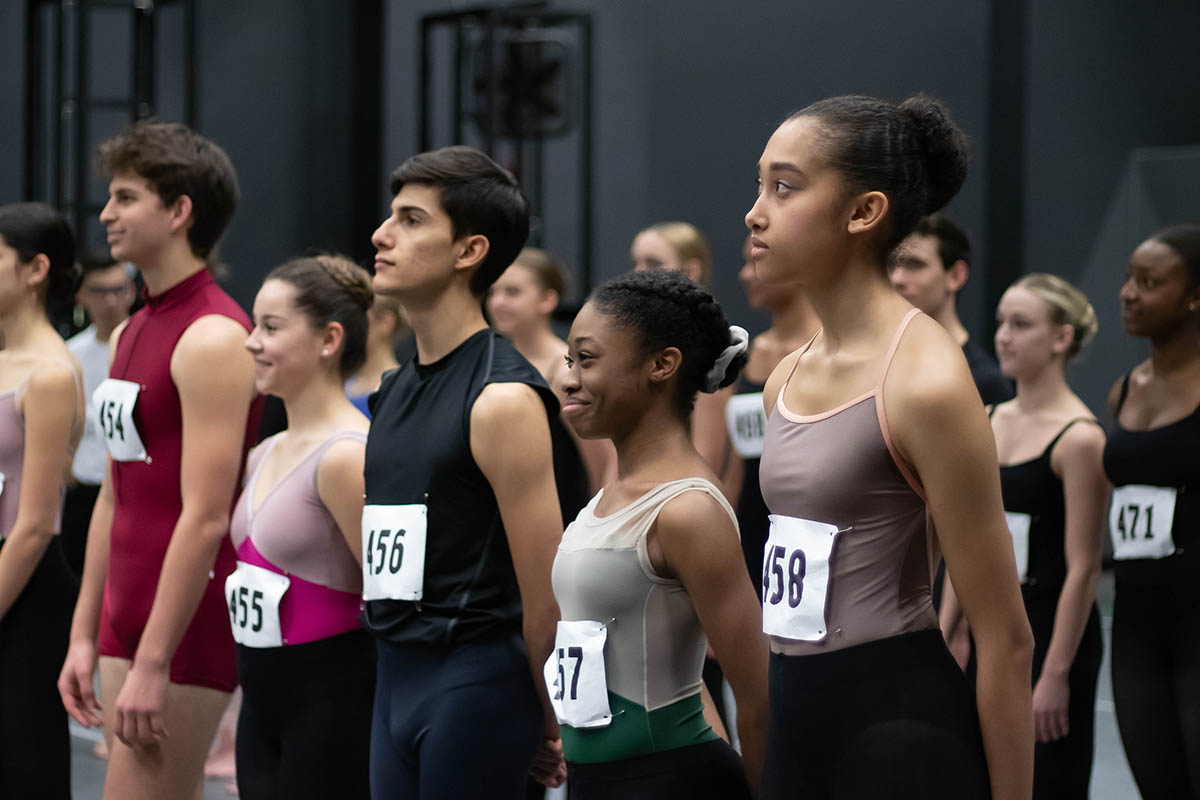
(394, 552)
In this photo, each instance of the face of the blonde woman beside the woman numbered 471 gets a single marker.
(1027, 335)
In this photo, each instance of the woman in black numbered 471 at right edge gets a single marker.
(1155, 519)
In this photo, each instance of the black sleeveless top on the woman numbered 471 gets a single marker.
(1166, 456)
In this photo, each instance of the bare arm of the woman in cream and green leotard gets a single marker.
(699, 545)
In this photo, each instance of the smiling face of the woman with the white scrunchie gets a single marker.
(607, 382)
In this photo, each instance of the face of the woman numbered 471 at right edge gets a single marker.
(1156, 298)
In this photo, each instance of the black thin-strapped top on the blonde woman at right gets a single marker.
(1031, 488)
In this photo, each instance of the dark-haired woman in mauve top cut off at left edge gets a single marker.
(41, 423)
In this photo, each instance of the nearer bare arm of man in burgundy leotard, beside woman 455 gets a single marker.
(215, 405)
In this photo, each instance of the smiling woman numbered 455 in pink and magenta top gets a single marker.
(305, 664)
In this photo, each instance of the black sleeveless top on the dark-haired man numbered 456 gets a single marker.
(419, 452)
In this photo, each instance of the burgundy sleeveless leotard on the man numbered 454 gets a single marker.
(148, 497)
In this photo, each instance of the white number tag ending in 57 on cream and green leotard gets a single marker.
(575, 676)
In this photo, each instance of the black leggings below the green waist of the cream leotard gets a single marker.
(706, 772)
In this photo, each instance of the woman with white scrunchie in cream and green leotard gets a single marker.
(653, 566)
